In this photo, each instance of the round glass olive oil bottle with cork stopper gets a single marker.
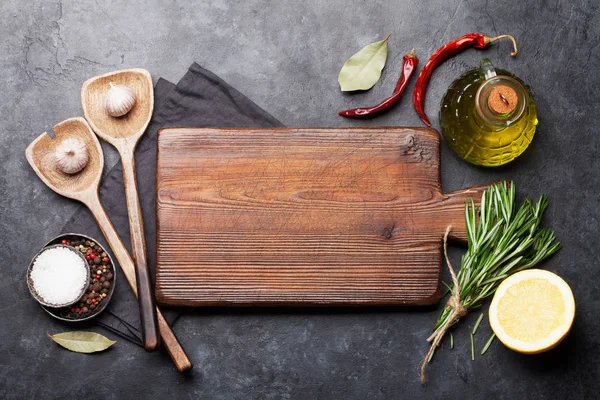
(488, 116)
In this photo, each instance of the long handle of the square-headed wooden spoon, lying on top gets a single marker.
(138, 244)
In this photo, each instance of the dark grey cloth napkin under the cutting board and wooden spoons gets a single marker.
(200, 99)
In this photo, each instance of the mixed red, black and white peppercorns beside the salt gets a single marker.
(101, 280)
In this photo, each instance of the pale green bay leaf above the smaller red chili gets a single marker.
(363, 69)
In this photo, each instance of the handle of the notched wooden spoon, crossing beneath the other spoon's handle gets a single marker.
(177, 353)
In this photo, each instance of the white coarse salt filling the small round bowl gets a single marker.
(59, 275)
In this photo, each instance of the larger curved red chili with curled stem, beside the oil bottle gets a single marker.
(476, 40)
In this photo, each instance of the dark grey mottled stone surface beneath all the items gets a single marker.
(285, 56)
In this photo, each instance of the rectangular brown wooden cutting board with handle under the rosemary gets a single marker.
(349, 216)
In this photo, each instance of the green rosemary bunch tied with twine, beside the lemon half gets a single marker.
(501, 241)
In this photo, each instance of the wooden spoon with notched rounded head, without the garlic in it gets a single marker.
(83, 186)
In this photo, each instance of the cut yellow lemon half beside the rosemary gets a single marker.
(532, 311)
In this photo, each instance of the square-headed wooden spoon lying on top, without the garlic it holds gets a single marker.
(124, 133)
